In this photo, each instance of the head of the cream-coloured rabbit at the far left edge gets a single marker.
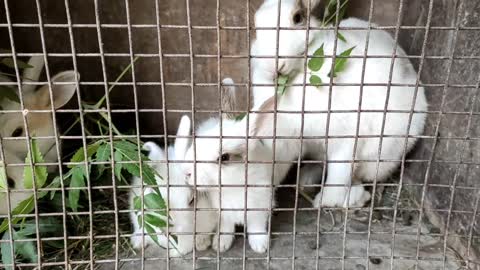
(12, 127)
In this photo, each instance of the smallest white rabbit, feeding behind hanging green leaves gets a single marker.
(179, 198)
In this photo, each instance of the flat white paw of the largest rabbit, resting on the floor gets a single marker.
(336, 197)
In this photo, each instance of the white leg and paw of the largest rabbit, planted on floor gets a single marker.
(339, 181)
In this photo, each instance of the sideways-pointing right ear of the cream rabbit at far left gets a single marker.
(62, 93)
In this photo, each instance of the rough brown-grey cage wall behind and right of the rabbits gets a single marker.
(446, 180)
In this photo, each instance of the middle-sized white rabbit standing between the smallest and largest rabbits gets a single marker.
(233, 201)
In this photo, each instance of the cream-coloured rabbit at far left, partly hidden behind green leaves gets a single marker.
(39, 124)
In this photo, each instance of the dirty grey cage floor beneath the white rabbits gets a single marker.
(335, 243)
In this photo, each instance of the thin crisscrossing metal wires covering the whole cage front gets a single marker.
(162, 84)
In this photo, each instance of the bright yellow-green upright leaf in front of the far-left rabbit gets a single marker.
(40, 171)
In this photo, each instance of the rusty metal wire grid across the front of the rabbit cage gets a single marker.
(162, 84)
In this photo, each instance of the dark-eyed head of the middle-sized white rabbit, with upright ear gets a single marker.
(221, 145)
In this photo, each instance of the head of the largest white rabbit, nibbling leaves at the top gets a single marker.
(291, 42)
